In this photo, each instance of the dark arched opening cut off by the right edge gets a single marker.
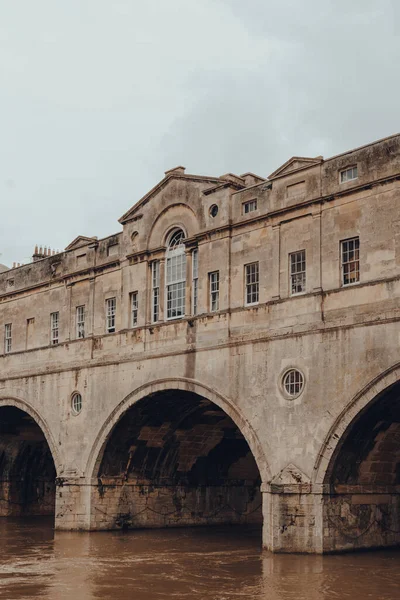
(363, 507)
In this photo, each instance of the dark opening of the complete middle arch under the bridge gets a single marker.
(174, 459)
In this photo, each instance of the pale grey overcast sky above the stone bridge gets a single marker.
(99, 97)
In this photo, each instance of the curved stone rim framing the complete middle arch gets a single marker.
(188, 385)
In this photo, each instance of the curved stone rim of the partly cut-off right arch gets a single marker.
(348, 416)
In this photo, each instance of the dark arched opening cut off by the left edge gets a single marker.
(27, 470)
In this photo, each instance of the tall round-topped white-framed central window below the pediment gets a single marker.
(176, 275)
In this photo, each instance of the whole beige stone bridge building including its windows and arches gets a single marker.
(231, 356)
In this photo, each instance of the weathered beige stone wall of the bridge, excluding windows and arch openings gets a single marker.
(341, 338)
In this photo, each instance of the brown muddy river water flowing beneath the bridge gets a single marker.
(219, 563)
